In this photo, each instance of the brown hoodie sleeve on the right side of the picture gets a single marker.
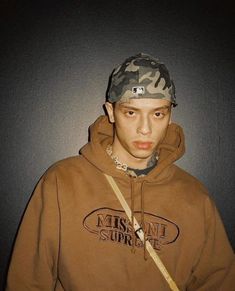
(215, 269)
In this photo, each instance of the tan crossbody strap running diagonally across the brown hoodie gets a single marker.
(140, 233)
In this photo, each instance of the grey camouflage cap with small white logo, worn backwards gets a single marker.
(141, 76)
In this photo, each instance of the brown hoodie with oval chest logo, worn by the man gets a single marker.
(76, 236)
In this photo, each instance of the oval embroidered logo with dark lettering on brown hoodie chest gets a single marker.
(113, 225)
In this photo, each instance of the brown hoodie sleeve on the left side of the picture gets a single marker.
(34, 260)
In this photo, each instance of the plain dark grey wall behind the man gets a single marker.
(56, 57)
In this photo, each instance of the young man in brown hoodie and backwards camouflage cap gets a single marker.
(75, 235)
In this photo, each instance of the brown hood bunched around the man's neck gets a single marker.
(101, 135)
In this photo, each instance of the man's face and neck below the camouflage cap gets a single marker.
(140, 125)
